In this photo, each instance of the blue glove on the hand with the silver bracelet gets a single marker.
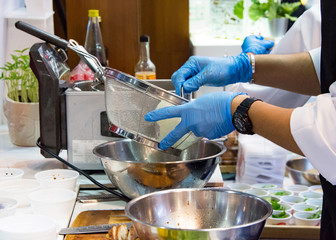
(211, 71)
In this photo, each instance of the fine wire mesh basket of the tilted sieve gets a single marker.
(127, 106)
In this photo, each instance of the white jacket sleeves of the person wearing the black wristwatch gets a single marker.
(313, 127)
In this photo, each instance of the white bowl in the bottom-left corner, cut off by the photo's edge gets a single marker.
(28, 227)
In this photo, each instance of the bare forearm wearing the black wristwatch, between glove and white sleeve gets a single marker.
(271, 122)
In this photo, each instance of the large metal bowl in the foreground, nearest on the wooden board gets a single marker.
(207, 213)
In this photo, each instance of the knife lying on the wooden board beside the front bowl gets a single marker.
(91, 229)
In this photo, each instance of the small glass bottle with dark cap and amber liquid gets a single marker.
(145, 68)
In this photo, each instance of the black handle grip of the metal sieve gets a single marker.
(48, 37)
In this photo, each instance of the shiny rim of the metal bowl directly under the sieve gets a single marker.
(165, 163)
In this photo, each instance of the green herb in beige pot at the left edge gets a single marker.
(21, 104)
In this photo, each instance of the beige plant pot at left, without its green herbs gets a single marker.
(23, 122)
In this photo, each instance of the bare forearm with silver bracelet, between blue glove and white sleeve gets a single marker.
(293, 72)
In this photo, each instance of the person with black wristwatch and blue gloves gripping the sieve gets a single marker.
(309, 130)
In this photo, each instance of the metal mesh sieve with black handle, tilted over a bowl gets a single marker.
(127, 98)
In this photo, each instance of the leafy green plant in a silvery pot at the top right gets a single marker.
(276, 12)
